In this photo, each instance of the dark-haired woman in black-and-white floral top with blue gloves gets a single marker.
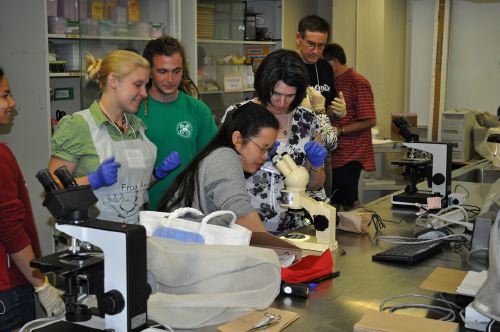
(280, 85)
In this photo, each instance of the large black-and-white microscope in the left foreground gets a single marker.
(115, 274)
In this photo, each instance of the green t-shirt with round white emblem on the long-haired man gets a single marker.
(185, 125)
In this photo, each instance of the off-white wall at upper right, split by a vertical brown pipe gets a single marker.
(473, 72)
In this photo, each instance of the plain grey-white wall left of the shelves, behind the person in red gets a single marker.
(23, 55)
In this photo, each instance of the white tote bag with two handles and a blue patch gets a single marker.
(184, 220)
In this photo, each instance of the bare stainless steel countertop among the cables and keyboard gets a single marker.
(336, 305)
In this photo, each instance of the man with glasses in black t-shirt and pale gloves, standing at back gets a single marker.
(311, 38)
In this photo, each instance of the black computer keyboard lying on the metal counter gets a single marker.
(409, 253)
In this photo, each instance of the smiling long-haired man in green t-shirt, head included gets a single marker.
(174, 118)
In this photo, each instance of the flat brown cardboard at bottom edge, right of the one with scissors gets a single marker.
(379, 321)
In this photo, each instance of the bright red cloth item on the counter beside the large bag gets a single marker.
(308, 268)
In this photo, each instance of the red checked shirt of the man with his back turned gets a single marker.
(360, 106)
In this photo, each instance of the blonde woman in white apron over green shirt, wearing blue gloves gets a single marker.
(105, 145)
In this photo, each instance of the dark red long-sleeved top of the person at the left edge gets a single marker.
(17, 225)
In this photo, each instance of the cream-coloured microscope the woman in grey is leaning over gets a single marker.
(294, 197)
